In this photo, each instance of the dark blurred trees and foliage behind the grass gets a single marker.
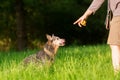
(24, 23)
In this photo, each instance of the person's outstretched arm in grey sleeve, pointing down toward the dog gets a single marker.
(95, 5)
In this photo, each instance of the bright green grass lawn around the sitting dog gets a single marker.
(71, 63)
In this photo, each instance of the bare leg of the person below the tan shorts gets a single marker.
(115, 49)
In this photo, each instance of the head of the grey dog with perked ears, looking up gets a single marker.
(55, 40)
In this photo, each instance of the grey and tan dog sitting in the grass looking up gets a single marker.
(47, 54)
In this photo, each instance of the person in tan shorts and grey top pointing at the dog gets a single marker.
(114, 30)
